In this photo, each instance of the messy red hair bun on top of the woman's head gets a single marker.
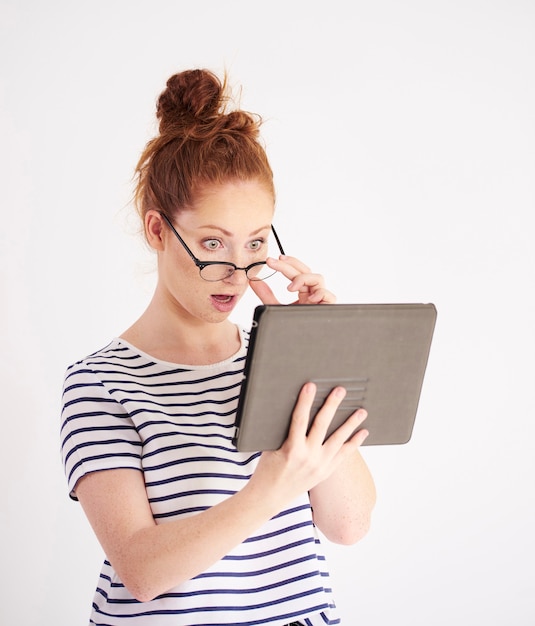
(190, 97)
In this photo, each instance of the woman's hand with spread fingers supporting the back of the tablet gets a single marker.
(307, 458)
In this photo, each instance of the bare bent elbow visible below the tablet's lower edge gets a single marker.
(343, 503)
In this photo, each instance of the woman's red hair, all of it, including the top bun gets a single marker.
(199, 145)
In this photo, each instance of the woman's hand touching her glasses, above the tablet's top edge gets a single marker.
(310, 288)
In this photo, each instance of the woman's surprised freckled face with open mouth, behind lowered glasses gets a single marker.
(230, 222)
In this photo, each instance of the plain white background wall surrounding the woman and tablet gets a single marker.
(402, 136)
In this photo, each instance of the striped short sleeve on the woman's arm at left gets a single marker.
(96, 431)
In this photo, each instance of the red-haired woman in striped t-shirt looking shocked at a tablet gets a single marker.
(195, 532)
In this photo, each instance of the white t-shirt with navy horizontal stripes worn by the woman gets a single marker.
(175, 423)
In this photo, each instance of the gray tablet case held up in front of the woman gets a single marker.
(378, 352)
